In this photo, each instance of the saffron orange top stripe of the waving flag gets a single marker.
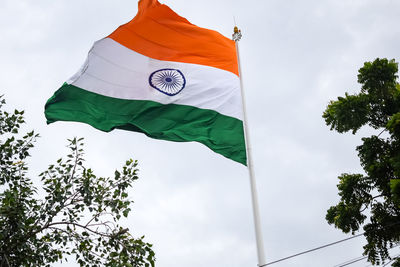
(158, 32)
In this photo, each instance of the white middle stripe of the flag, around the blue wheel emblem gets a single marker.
(116, 71)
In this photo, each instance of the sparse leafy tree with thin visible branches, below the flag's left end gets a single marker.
(78, 216)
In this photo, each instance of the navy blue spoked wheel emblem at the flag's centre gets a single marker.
(167, 81)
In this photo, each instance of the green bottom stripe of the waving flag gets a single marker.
(180, 123)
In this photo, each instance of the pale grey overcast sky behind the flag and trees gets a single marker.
(191, 203)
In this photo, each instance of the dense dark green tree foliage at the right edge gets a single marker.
(371, 200)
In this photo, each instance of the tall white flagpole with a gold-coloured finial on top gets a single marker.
(236, 36)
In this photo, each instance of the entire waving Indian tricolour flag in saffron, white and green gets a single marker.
(162, 76)
